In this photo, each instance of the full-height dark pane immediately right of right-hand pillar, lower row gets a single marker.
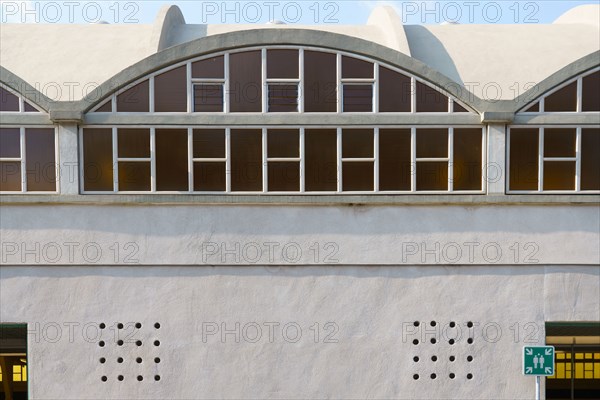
(524, 159)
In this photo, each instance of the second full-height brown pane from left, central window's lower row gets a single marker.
(171, 160)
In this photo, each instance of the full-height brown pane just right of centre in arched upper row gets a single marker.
(320, 82)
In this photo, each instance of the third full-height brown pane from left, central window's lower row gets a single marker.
(246, 160)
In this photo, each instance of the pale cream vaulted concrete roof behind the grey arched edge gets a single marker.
(498, 58)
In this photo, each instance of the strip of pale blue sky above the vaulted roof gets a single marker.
(291, 12)
